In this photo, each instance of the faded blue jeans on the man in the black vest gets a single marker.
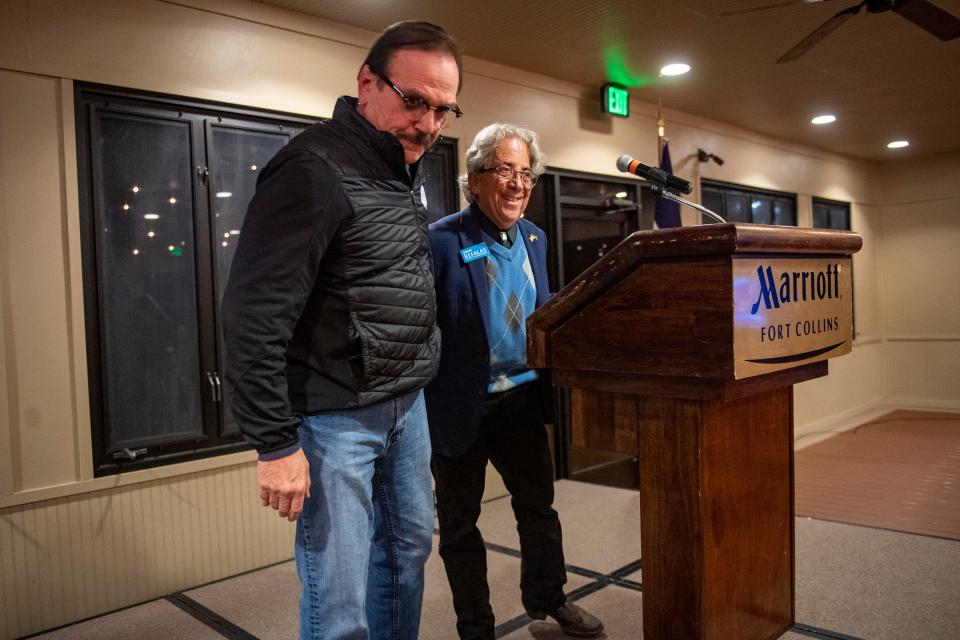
(366, 530)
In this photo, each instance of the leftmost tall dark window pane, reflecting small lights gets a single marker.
(146, 260)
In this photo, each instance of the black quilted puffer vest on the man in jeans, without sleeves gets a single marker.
(368, 332)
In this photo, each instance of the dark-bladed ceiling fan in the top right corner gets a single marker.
(922, 13)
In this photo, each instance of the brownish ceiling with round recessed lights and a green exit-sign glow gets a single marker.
(883, 77)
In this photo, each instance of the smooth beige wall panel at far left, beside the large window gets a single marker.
(33, 256)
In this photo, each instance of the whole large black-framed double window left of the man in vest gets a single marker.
(155, 265)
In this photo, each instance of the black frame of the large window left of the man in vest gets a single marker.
(91, 99)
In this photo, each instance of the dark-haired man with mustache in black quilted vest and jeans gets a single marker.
(329, 324)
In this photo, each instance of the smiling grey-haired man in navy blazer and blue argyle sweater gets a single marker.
(486, 403)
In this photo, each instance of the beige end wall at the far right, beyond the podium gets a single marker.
(919, 288)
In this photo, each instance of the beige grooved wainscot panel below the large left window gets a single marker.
(70, 558)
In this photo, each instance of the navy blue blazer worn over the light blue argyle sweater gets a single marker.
(455, 397)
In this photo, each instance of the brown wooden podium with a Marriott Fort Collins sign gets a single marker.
(691, 339)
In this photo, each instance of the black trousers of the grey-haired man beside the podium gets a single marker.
(513, 438)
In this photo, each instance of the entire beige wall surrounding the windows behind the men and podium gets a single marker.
(239, 52)
